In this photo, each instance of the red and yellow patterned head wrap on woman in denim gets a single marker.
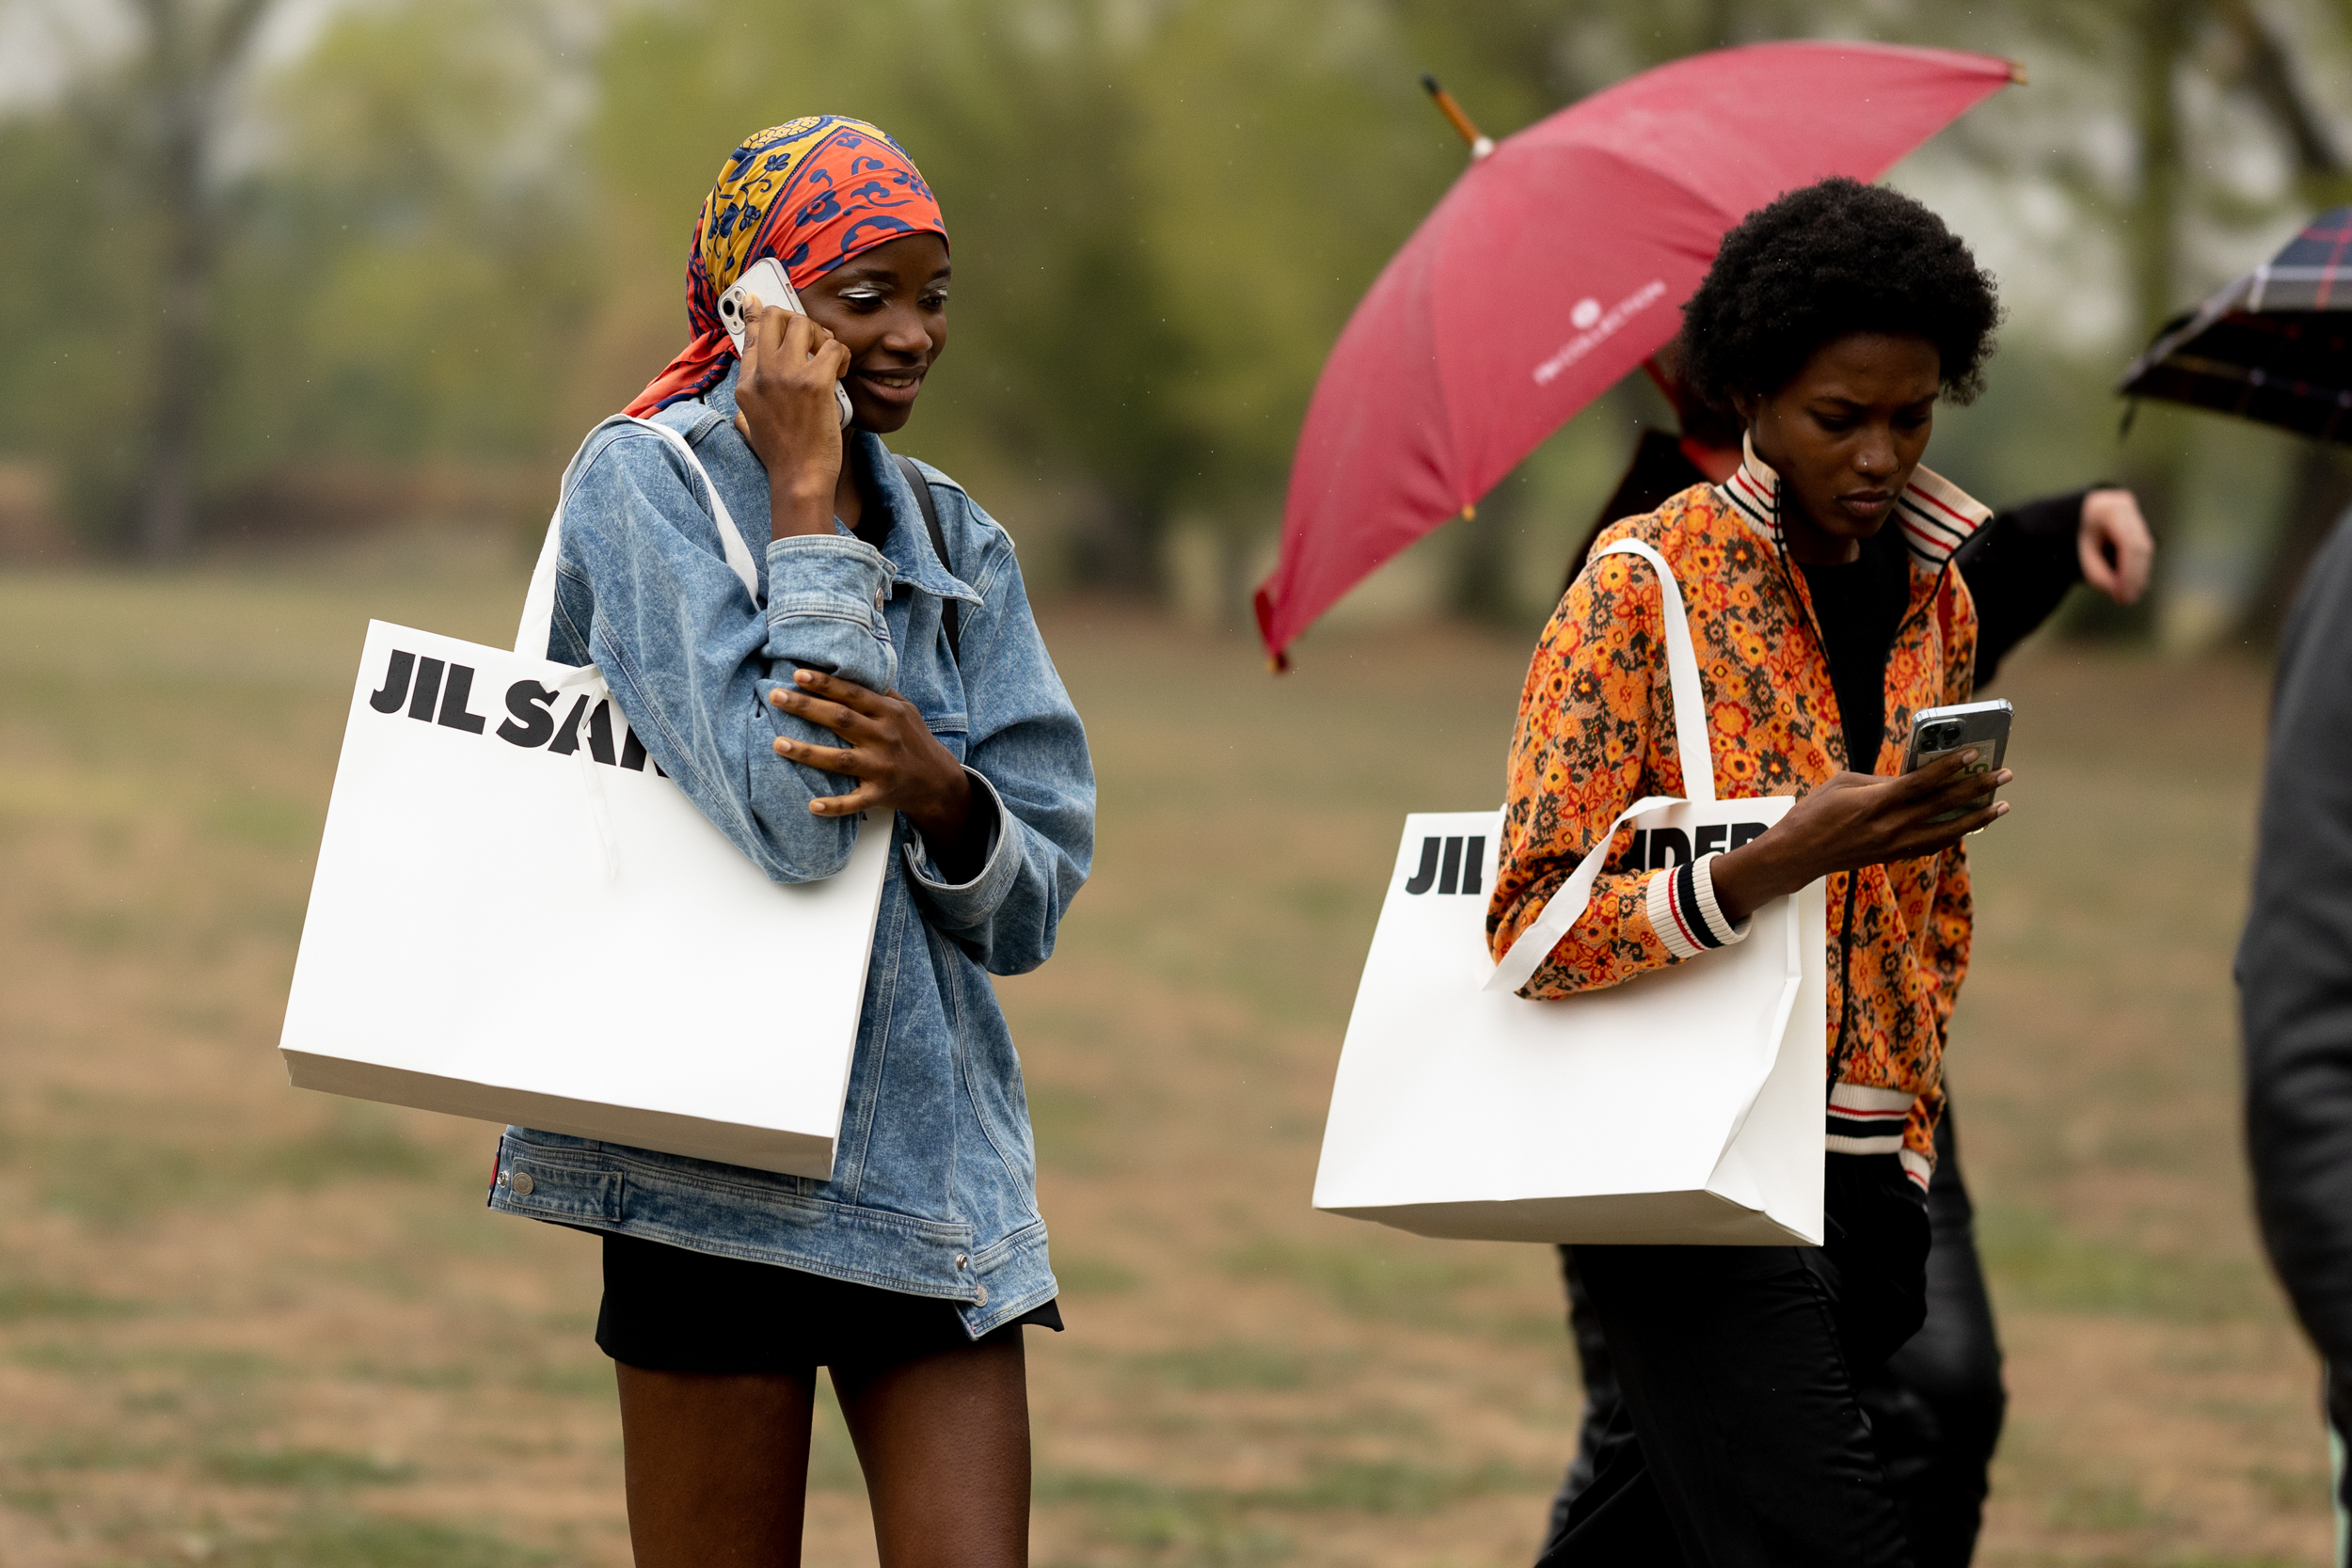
(813, 194)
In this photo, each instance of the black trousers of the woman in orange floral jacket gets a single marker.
(1739, 1440)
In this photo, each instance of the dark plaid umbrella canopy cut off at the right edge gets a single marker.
(2273, 347)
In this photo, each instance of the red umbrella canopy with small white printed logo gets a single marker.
(1556, 264)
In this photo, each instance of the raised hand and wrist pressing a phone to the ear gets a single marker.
(789, 415)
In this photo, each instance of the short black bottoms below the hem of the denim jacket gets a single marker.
(676, 1311)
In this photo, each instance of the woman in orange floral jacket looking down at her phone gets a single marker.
(1826, 612)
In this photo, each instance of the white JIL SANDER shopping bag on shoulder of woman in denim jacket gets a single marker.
(519, 918)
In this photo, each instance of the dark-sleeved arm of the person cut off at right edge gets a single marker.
(2294, 963)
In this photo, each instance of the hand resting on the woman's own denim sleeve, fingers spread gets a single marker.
(888, 749)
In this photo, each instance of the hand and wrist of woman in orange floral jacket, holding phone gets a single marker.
(1852, 822)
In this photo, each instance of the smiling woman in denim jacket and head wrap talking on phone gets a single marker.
(886, 666)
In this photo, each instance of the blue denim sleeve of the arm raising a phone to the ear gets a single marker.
(693, 659)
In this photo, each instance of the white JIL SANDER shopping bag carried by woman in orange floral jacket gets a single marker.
(1678, 1108)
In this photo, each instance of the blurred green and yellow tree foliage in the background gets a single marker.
(453, 232)
